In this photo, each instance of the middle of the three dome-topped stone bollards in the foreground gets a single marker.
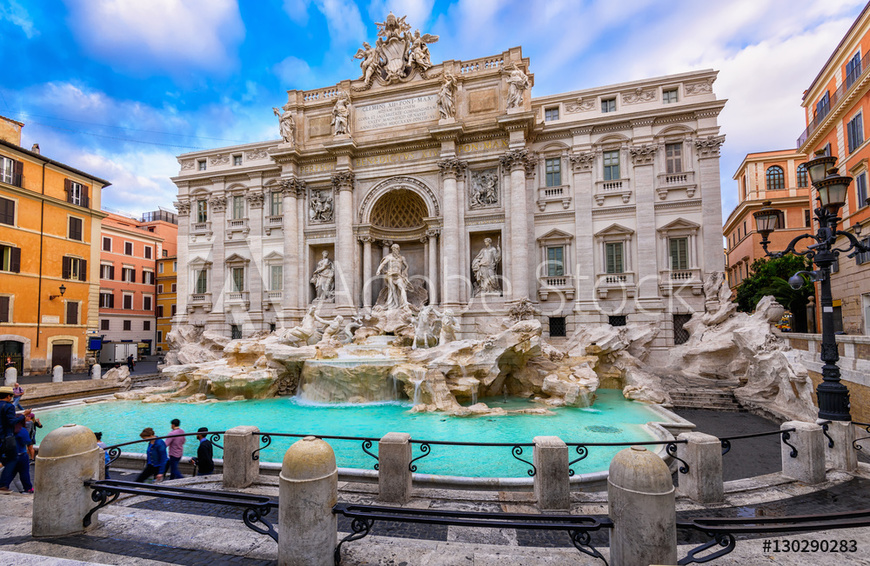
(308, 490)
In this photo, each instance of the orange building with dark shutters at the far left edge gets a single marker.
(49, 256)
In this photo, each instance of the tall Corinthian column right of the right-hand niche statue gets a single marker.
(519, 163)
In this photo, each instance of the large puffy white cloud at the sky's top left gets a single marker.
(159, 34)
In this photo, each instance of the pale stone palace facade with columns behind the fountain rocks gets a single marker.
(601, 206)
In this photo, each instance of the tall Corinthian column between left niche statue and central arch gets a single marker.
(342, 181)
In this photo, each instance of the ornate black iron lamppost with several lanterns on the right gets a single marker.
(831, 188)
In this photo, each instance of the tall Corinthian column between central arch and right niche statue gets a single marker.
(450, 267)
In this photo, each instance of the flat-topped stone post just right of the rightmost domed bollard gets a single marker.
(703, 454)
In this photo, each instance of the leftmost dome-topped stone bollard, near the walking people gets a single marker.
(67, 457)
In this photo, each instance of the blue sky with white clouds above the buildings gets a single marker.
(120, 87)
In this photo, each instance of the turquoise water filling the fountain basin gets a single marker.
(612, 419)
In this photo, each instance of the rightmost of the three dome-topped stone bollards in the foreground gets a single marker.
(641, 502)
